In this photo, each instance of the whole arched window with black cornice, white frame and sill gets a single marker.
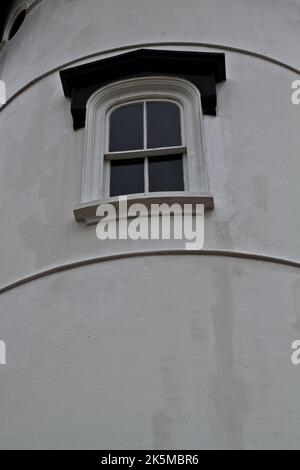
(143, 135)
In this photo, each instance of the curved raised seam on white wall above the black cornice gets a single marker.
(141, 45)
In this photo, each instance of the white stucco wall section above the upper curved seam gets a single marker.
(58, 31)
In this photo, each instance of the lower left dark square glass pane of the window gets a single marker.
(127, 177)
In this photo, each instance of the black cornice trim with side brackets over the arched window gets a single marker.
(203, 69)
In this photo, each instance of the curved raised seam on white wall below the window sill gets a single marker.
(140, 254)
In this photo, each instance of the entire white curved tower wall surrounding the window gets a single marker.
(220, 365)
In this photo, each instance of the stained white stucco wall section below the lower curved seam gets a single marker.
(183, 352)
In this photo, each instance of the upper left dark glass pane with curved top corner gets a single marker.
(127, 128)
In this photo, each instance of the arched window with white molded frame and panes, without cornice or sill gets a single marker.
(144, 136)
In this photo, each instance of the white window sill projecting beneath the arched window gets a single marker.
(87, 212)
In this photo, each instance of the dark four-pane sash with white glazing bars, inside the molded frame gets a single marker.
(145, 151)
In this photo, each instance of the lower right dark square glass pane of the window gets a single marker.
(166, 174)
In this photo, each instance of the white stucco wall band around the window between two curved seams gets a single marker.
(252, 150)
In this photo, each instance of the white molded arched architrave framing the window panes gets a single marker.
(118, 93)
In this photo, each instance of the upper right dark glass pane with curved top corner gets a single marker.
(163, 125)
